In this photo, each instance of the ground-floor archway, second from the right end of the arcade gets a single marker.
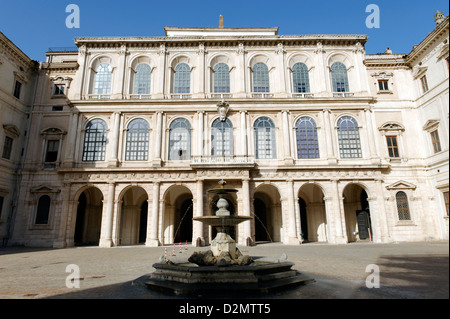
(312, 214)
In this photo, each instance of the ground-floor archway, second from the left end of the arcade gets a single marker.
(133, 216)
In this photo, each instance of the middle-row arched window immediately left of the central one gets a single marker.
(180, 140)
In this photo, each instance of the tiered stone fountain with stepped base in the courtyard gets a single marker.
(223, 269)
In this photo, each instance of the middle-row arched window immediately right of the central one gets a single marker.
(265, 141)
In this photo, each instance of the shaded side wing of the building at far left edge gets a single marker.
(17, 87)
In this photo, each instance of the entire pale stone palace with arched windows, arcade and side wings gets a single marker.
(323, 142)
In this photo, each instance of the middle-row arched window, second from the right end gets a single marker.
(307, 141)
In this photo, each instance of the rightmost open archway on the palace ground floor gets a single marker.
(357, 213)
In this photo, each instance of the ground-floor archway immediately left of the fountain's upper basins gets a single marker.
(178, 214)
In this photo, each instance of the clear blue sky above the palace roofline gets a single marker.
(36, 25)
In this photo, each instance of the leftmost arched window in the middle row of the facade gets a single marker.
(95, 141)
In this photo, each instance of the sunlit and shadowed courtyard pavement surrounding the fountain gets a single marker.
(406, 271)
